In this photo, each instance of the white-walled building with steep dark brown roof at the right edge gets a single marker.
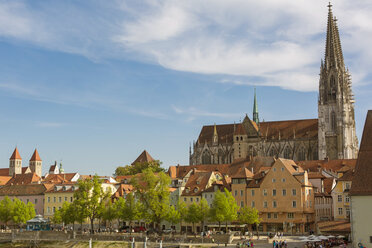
(361, 190)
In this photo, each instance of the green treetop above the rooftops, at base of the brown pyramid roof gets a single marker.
(138, 168)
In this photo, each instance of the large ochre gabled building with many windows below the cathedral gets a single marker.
(284, 197)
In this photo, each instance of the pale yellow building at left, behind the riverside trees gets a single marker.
(56, 196)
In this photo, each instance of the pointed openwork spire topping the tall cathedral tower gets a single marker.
(333, 51)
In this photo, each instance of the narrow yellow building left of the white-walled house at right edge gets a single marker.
(340, 196)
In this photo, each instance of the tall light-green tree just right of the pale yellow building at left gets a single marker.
(90, 199)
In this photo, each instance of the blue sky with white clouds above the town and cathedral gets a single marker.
(93, 83)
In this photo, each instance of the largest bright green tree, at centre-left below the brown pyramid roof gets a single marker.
(153, 192)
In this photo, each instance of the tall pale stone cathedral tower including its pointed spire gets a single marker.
(336, 128)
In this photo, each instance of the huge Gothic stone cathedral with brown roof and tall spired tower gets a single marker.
(331, 136)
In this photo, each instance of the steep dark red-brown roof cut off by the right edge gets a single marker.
(362, 183)
